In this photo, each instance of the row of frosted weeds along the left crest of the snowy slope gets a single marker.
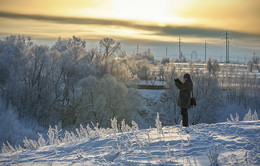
(56, 136)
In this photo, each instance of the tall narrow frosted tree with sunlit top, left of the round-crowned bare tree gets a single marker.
(72, 61)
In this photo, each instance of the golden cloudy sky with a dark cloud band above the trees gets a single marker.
(151, 23)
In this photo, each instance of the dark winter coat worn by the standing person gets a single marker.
(185, 93)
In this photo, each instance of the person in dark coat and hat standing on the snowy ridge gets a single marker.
(184, 100)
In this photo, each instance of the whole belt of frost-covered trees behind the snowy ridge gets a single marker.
(69, 84)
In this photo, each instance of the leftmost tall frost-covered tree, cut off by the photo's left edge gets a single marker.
(16, 54)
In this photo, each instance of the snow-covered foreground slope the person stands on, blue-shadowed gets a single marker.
(231, 143)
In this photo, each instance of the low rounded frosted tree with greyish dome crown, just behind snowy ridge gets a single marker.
(101, 100)
